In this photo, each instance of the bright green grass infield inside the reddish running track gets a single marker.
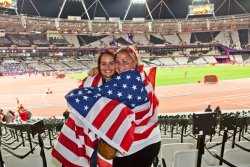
(183, 75)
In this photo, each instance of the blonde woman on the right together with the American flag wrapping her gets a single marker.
(123, 112)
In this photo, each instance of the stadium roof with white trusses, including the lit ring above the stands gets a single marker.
(125, 16)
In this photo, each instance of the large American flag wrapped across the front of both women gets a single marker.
(121, 112)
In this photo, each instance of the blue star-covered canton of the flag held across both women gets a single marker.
(126, 88)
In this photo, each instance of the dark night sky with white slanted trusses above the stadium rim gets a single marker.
(124, 9)
